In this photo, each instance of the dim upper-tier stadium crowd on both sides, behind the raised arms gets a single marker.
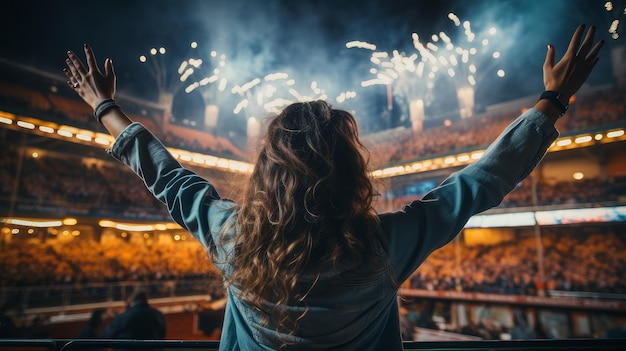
(603, 107)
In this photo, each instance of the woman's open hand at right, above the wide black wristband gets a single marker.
(569, 74)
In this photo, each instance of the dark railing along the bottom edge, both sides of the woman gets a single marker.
(173, 345)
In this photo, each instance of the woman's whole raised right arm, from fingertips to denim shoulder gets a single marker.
(435, 220)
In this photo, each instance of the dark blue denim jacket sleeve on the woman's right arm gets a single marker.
(425, 225)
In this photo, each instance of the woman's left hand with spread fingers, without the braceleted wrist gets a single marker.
(89, 82)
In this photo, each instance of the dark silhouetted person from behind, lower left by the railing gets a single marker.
(140, 321)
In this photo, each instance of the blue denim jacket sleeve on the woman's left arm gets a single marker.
(191, 200)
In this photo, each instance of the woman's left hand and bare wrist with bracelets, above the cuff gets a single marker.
(96, 89)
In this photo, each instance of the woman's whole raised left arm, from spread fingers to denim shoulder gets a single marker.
(191, 200)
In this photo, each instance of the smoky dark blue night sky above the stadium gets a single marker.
(306, 39)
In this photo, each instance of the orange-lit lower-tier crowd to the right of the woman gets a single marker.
(573, 261)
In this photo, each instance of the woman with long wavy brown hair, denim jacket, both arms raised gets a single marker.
(307, 261)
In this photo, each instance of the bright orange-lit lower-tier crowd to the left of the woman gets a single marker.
(33, 262)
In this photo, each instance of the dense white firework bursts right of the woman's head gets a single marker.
(412, 75)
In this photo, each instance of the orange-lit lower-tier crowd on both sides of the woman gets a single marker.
(573, 259)
